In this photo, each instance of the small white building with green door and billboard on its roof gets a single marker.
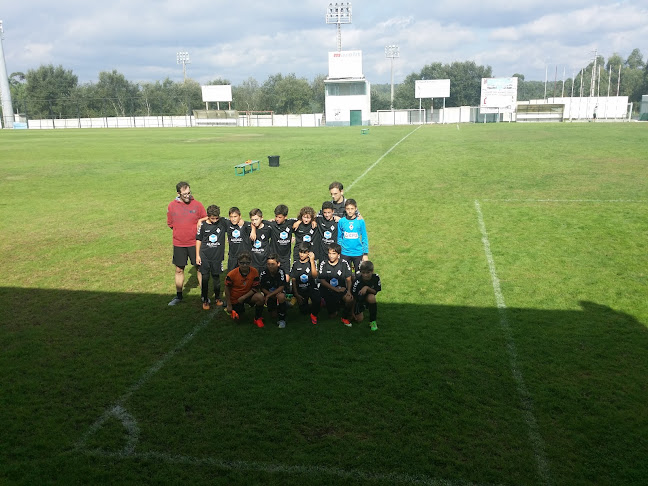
(347, 98)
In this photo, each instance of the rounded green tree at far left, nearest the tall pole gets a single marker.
(48, 90)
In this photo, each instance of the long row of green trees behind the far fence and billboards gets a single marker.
(55, 92)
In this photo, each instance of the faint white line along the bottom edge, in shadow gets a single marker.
(264, 467)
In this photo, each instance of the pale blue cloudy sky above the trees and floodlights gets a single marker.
(253, 38)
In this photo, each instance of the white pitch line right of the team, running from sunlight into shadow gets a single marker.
(523, 392)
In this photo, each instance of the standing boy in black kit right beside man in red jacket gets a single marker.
(210, 252)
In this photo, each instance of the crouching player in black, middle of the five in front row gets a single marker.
(305, 287)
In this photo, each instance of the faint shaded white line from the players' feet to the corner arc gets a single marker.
(118, 410)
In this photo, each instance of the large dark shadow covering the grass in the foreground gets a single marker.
(429, 396)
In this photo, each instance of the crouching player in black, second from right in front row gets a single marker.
(335, 284)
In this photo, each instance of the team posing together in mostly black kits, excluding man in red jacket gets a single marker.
(259, 254)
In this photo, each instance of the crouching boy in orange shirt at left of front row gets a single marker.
(242, 287)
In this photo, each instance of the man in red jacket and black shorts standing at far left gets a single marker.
(183, 215)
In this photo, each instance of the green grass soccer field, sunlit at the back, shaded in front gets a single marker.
(513, 340)
